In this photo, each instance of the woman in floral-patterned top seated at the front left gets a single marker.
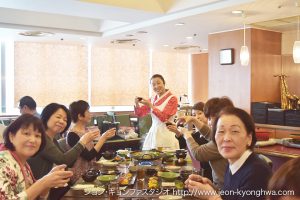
(24, 138)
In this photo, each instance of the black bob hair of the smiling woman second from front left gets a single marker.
(52, 108)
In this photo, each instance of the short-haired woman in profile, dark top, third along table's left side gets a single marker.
(81, 116)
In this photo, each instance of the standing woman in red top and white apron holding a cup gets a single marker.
(163, 107)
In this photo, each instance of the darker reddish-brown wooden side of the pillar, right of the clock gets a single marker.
(265, 63)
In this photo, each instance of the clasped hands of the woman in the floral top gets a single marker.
(57, 177)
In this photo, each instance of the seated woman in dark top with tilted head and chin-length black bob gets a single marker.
(56, 120)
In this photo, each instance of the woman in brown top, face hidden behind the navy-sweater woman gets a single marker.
(207, 152)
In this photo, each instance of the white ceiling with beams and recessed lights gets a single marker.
(149, 23)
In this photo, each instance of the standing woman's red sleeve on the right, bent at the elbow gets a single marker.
(169, 110)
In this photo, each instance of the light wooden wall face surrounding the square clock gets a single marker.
(229, 80)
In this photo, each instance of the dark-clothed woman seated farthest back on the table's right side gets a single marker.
(197, 111)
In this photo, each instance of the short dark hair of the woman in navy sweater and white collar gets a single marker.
(243, 116)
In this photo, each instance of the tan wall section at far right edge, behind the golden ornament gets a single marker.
(292, 70)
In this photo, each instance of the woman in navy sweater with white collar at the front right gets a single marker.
(234, 134)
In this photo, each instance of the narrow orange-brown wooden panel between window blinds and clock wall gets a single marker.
(199, 73)
